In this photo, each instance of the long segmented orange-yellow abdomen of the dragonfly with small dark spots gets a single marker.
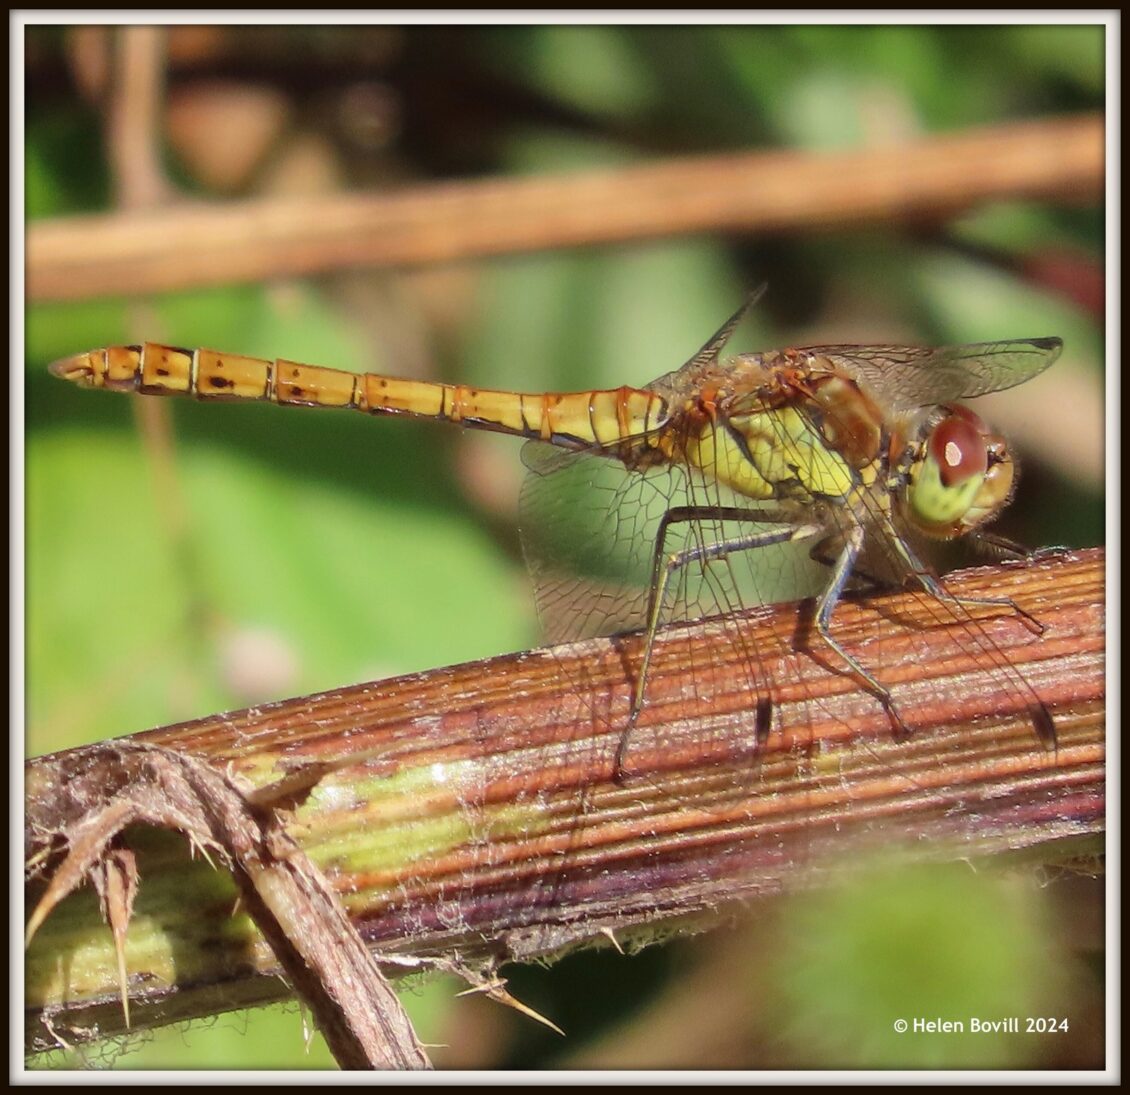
(594, 420)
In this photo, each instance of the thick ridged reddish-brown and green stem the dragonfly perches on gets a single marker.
(471, 815)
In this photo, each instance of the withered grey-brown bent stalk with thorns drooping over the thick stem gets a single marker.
(101, 790)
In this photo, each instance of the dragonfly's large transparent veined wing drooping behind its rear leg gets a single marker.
(589, 532)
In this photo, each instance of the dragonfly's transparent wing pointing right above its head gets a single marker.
(908, 377)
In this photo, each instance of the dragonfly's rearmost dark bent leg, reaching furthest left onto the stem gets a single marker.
(666, 564)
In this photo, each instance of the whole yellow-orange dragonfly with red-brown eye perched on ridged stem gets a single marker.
(666, 503)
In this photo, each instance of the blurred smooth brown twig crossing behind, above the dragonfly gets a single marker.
(195, 245)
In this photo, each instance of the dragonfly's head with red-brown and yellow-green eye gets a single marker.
(960, 474)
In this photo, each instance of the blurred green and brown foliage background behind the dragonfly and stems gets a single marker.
(281, 552)
